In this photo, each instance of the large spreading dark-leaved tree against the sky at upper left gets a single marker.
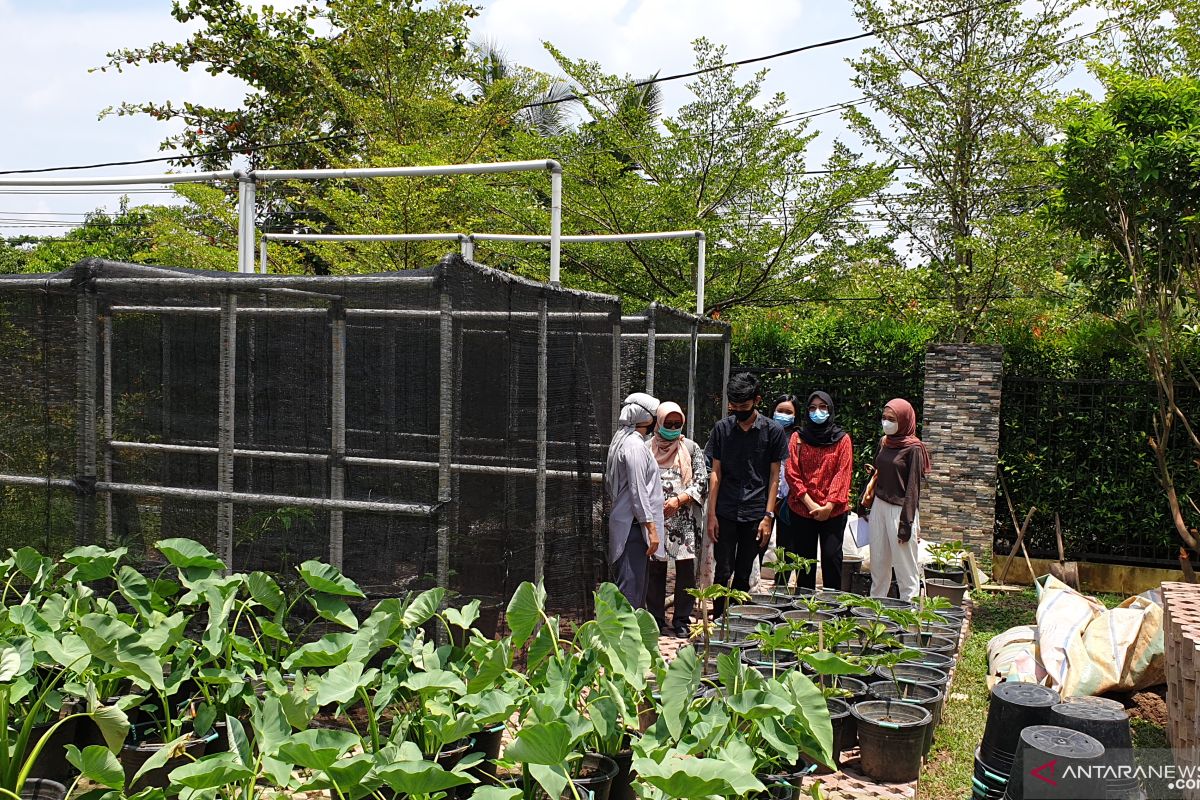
(308, 69)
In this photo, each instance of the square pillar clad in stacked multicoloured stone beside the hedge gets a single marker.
(962, 430)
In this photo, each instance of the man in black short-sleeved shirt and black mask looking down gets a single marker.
(747, 450)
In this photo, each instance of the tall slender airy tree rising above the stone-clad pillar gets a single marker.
(964, 109)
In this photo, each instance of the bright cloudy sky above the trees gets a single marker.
(53, 99)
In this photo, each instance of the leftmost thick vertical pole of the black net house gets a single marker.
(86, 413)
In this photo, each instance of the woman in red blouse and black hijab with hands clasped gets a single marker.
(820, 460)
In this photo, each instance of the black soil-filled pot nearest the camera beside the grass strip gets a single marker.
(891, 739)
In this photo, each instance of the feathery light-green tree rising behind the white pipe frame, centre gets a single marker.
(728, 163)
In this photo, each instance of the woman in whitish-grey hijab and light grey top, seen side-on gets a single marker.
(635, 492)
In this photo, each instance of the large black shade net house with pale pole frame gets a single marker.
(428, 428)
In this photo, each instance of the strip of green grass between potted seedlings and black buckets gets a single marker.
(947, 774)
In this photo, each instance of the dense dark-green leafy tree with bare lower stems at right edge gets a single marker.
(1127, 179)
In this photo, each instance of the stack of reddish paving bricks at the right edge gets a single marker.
(1181, 631)
